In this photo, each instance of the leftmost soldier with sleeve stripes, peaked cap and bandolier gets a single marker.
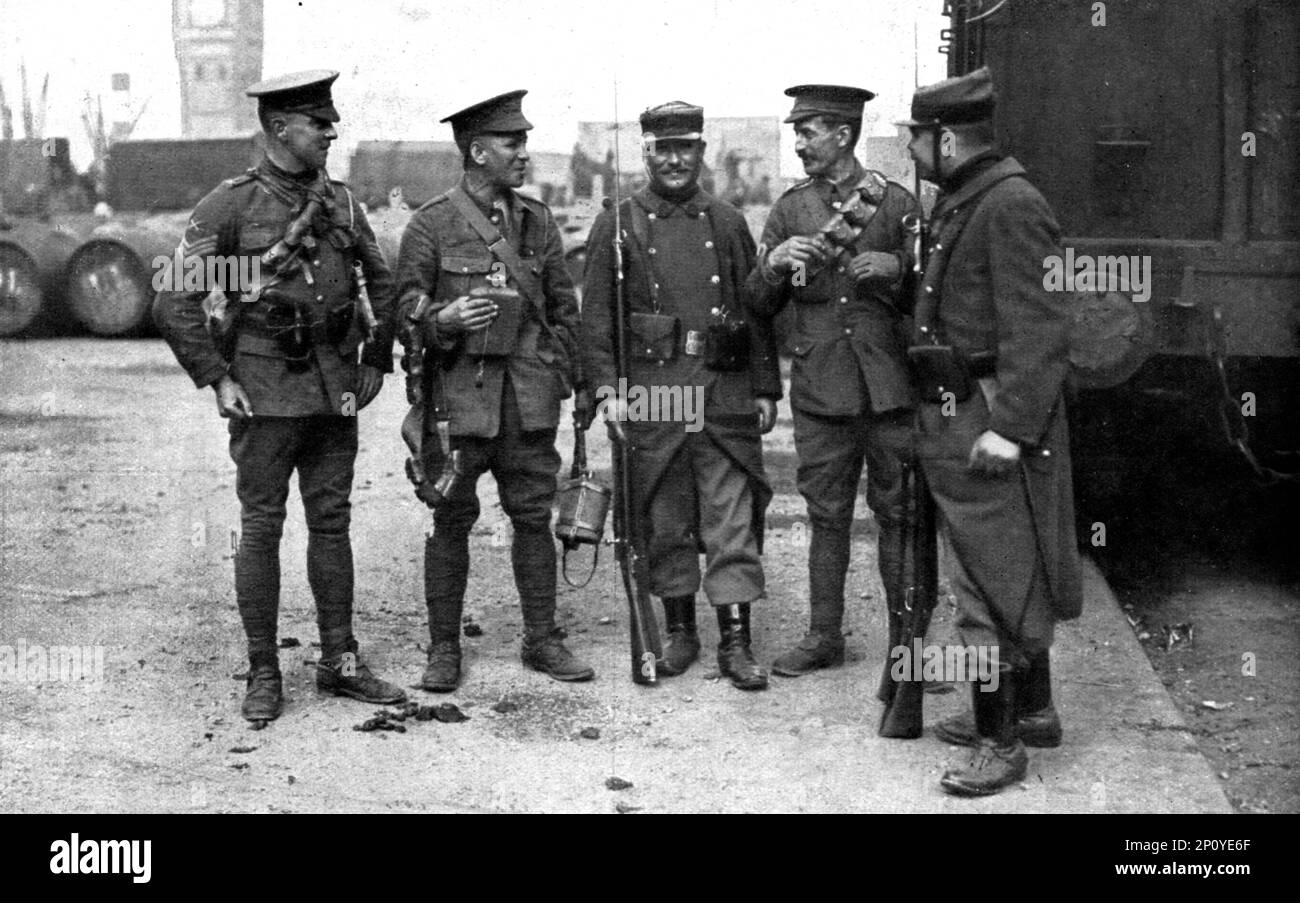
(285, 371)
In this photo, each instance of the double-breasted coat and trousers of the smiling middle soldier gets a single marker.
(697, 485)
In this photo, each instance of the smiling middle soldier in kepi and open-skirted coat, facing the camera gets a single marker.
(697, 485)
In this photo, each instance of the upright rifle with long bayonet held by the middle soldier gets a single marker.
(629, 548)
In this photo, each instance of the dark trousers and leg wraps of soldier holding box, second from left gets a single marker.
(525, 466)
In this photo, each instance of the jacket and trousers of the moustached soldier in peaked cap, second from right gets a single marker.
(851, 390)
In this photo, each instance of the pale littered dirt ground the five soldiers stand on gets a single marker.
(116, 518)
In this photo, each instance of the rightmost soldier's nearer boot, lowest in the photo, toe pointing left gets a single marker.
(1000, 759)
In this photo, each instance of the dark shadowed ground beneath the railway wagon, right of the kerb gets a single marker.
(1206, 567)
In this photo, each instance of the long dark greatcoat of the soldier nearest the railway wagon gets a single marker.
(1017, 570)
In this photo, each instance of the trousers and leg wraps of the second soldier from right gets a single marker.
(831, 455)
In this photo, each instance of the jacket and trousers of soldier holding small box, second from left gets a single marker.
(504, 410)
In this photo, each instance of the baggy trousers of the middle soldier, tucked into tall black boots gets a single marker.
(704, 500)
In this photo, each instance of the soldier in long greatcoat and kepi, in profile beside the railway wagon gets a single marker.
(991, 361)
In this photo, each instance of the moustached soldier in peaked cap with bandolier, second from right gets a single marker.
(850, 385)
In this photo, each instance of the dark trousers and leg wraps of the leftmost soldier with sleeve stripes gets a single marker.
(267, 451)
